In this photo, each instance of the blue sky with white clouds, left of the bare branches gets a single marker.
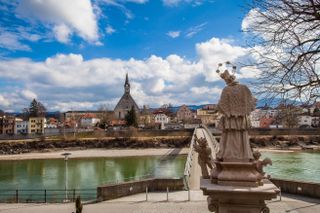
(74, 54)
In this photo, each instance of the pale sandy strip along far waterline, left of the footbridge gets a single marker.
(97, 153)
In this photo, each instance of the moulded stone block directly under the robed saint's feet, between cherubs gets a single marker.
(236, 174)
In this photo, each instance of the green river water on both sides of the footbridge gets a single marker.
(92, 172)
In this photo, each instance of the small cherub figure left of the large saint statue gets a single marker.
(204, 155)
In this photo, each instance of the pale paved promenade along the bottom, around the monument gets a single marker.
(157, 204)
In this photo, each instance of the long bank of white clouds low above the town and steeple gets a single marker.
(66, 81)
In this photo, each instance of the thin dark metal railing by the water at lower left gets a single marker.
(46, 195)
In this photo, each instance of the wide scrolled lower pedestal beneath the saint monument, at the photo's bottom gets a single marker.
(238, 199)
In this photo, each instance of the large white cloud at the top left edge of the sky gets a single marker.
(67, 17)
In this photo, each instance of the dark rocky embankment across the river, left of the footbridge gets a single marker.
(19, 147)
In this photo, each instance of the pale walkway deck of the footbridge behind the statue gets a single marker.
(194, 179)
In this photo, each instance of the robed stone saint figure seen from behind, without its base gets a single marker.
(235, 104)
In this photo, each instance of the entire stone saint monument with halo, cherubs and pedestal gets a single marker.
(237, 182)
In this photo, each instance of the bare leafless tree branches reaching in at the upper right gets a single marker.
(284, 35)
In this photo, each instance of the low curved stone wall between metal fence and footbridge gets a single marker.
(113, 191)
